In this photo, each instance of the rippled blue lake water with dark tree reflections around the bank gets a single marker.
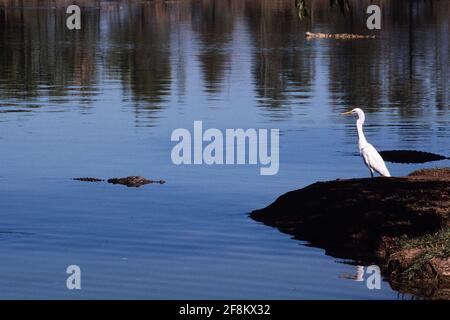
(103, 102)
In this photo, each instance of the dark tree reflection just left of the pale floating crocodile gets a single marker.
(283, 66)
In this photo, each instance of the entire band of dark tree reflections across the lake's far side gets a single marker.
(142, 44)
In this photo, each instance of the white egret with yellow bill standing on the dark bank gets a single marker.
(370, 155)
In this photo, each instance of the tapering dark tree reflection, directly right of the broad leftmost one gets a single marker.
(138, 53)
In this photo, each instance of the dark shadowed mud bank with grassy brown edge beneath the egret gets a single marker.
(400, 223)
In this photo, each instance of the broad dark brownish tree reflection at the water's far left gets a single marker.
(41, 59)
